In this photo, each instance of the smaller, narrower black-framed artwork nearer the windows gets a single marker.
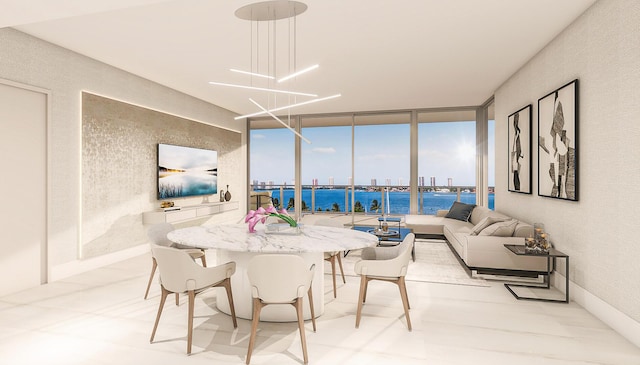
(520, 151)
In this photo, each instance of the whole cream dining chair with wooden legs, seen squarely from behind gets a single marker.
(280, 279)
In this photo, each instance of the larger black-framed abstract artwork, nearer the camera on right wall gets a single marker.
(558, 143)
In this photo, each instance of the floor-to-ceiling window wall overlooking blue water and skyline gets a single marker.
(362, 162)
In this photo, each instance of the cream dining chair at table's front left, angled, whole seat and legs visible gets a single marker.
(180, 274)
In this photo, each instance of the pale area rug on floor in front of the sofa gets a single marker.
(435, 263)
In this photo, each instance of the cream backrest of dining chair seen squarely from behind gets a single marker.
(276, 278)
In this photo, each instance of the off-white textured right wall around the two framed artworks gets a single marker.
(600, 232)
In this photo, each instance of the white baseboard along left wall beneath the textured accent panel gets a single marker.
(68, 269)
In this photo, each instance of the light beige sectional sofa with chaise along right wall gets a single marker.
(482, 251)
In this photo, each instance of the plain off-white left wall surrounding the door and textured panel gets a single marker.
(66, 74)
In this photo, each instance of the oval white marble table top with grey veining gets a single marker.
(236, 237)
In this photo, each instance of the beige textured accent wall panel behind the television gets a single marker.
(119, 167)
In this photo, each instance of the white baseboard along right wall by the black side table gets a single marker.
(620, 322)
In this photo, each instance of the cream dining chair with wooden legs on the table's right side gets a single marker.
(387, 264)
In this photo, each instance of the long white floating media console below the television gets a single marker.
(181, 214)
